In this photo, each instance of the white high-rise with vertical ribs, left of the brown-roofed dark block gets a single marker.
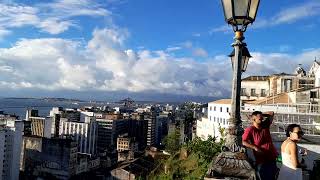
(85, 132)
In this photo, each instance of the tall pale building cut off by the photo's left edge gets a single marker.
(10, 149)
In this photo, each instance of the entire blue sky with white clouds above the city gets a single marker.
(148, 50)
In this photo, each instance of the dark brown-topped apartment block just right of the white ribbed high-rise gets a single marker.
(110, 126)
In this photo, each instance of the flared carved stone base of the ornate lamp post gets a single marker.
(232, 166)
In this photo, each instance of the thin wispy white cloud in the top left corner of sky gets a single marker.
(53, 18)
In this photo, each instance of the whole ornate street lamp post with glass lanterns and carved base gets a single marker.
(232, 161)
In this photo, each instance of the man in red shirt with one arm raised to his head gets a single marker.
(258, 138)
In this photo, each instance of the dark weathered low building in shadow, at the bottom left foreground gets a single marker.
(46, 158)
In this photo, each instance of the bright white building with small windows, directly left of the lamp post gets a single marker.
(218, 117)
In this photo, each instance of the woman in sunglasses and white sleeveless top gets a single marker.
(291, 167)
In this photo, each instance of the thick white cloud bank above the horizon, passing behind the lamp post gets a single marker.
(104, 65)
